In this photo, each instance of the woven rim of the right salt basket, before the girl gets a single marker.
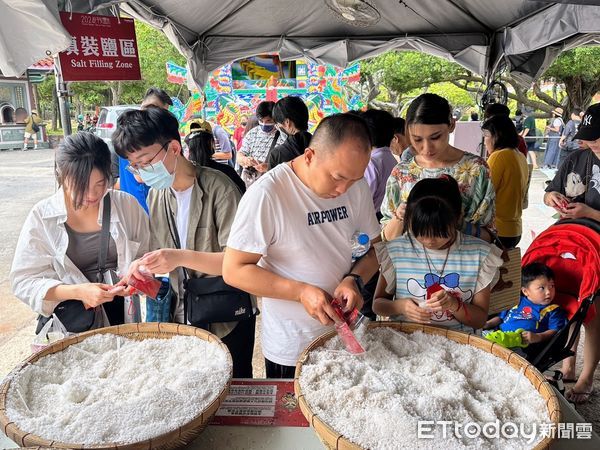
(331, 439)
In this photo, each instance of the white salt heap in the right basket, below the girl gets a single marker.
(377, 399)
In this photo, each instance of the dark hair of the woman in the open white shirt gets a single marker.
(76, 158)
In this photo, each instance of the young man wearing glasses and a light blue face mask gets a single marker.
(200, 201)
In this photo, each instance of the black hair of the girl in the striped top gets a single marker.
(433, 208)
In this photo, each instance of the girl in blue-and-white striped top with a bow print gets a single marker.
(433, 273)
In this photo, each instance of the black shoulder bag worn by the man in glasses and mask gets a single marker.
(209, 300)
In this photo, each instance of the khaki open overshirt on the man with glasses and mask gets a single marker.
(212, 208)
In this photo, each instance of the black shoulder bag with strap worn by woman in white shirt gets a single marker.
(72, 313)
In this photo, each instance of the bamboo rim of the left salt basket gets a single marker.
(162, 330)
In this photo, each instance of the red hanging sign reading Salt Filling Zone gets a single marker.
(103, 48)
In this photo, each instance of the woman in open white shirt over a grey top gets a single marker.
(42, 274)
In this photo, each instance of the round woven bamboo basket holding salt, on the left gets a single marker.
(139, 331)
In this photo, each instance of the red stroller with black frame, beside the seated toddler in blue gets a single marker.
(571, 248)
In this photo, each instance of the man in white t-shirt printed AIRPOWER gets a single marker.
(290, 240)
